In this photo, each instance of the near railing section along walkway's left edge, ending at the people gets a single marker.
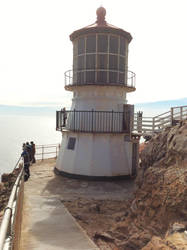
(10, 226)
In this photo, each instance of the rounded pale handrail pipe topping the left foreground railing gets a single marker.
(6, 229)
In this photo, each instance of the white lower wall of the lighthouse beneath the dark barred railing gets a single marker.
(95, 155)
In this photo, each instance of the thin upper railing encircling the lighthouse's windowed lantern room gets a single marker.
(90, 77)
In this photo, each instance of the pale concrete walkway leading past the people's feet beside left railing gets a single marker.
(46, 223)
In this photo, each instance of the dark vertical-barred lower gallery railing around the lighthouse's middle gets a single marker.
(93, 121)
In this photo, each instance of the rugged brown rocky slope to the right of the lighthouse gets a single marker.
(158, 214)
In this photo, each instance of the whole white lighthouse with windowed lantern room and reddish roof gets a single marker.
(97, 132)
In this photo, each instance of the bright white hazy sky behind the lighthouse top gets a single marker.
(35, 49)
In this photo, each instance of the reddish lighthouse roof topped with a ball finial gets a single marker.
(100, 26)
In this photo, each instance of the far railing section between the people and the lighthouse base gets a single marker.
(49, 150)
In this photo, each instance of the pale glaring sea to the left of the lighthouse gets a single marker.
(16, 129)
